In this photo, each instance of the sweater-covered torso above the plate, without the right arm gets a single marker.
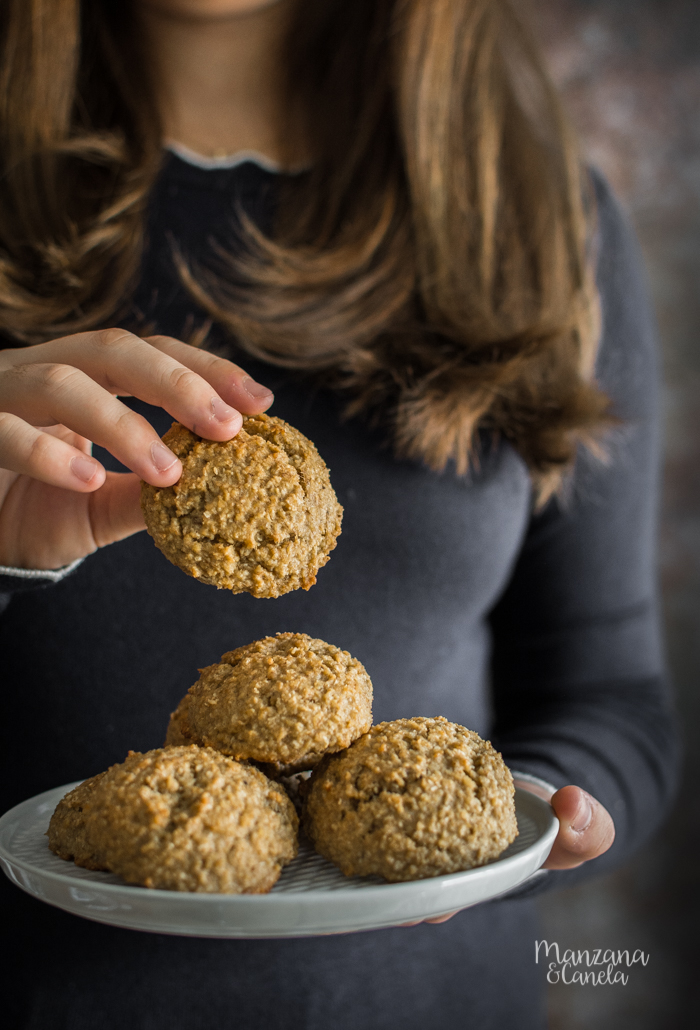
(108, 655)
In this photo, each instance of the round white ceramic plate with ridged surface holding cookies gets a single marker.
(311, 897)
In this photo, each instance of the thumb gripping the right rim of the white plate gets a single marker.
(586, 830)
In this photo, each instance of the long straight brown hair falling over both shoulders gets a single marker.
(435, 262)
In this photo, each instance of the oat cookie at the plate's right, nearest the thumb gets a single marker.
(410, 800)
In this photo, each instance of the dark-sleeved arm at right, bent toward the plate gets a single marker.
(580, 690)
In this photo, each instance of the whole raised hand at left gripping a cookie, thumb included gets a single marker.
(58, 397)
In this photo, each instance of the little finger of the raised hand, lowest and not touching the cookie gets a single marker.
(30, 452)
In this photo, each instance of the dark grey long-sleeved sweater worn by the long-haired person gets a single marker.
(541, 633)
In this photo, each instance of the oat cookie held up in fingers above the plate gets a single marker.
(257, 513)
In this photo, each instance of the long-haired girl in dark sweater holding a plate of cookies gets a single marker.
(374, 211)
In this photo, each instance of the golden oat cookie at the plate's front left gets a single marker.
(190, 819)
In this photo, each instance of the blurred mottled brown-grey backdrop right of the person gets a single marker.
(629, 73)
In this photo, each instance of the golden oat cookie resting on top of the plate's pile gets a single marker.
(284, 701)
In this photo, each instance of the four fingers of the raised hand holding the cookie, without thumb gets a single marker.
(74, 382)
